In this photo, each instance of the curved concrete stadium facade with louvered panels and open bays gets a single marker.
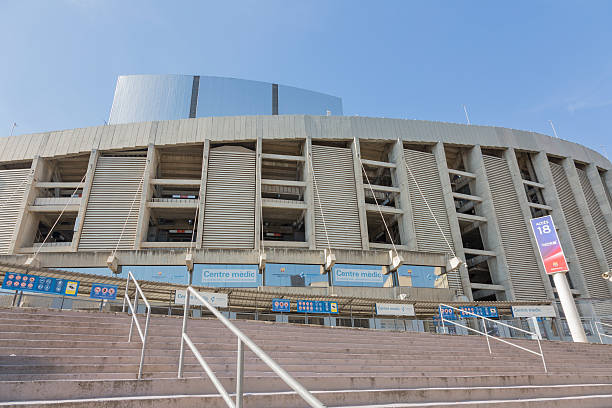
(228, 189)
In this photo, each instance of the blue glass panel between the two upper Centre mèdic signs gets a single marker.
(295, 275)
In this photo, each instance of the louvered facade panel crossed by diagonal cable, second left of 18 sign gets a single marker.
(429, 237)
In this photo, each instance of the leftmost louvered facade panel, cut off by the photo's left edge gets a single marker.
(13, 184)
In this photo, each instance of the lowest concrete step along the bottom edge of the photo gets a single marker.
(343, 398)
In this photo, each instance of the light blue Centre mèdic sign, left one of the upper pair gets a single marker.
(231, 276)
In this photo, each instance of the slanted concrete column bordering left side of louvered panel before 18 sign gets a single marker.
(489, 231)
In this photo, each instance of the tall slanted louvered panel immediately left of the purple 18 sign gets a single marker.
(515, 234)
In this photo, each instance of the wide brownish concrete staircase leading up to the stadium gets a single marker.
(80, 359)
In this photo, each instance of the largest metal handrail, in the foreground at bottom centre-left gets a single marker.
(242, 340)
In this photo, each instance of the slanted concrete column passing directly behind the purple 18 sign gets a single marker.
(544, 175)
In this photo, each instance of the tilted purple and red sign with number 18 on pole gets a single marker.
(549, 245)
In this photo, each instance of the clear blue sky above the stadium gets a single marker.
(513, 64)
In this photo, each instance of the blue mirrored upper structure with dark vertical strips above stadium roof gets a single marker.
(141, 98)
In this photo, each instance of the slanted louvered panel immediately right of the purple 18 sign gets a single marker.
(580, 237)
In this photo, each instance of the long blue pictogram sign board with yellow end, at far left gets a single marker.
(41, 284)
